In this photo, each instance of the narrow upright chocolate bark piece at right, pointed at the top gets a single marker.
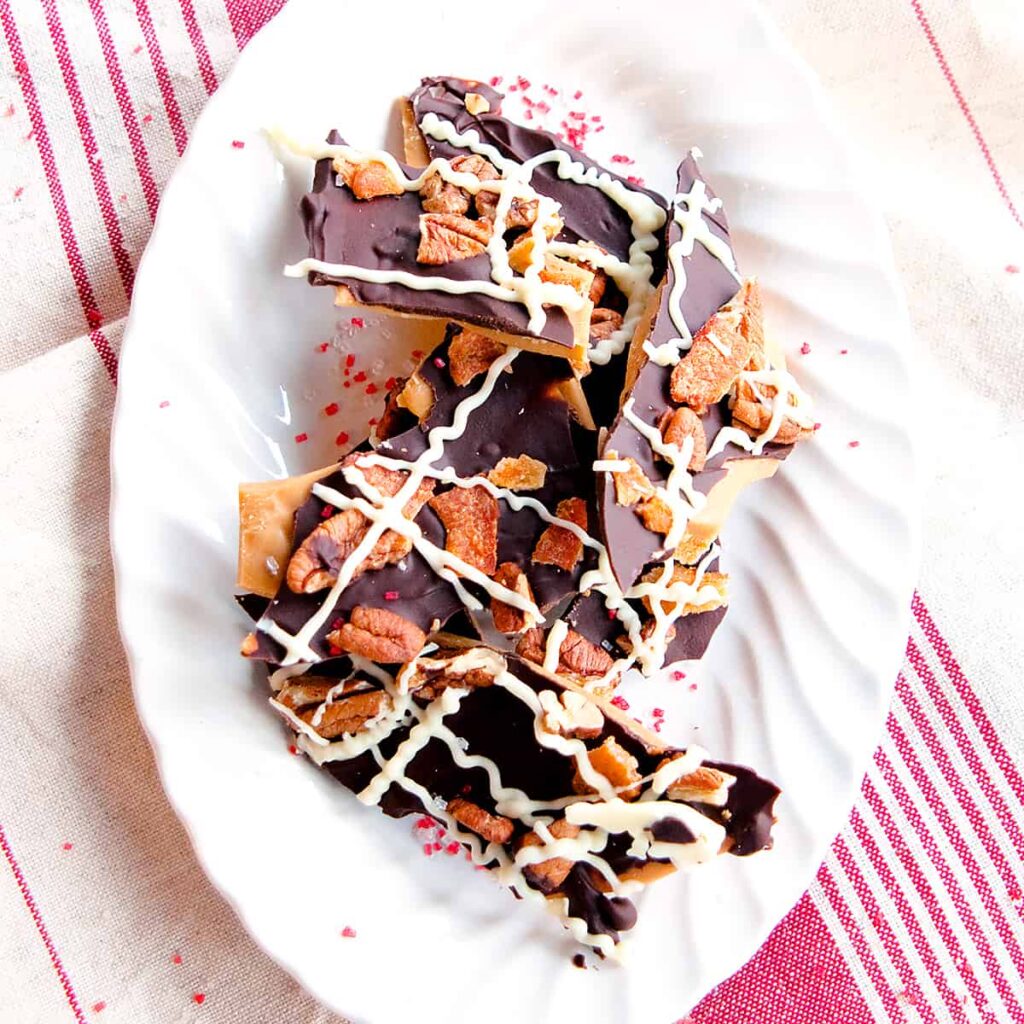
(636, 532)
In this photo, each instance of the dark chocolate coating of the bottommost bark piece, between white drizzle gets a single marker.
(544, 775)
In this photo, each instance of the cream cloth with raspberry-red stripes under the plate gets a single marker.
(916, 915)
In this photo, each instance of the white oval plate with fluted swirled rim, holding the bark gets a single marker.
(222, 370)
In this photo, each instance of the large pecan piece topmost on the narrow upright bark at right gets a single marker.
(720, 351)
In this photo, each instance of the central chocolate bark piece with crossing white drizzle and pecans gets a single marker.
(520, 411)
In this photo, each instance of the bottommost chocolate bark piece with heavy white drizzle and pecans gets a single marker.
(616, 802)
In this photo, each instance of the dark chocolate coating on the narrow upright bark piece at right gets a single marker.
(709, 286)
